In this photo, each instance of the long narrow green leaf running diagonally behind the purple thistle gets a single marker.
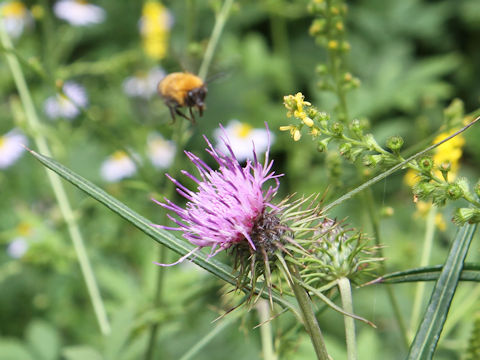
(163, 237)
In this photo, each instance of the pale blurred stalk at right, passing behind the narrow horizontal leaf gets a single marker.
(425, 259)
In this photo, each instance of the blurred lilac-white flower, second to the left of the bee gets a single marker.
(68, 104)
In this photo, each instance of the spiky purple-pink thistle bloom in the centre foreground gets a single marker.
(228, 202)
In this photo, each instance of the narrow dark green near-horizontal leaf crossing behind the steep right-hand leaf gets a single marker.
(470, 272)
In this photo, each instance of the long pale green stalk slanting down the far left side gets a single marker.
(57, 187)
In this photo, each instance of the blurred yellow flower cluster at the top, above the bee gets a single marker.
(155, 29)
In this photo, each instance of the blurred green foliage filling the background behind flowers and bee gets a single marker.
(412, 57)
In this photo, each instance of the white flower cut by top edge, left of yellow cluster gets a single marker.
(79, 12)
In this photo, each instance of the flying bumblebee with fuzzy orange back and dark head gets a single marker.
(183, 89)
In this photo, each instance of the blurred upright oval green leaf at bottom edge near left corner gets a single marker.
(43, 339)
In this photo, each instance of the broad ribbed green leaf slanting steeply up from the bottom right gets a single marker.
(425, 342)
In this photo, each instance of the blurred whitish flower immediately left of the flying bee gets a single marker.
(143, 84)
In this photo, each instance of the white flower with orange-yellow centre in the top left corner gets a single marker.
(16, 17)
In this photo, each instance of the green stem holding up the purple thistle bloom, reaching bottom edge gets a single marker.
(309, 319)
